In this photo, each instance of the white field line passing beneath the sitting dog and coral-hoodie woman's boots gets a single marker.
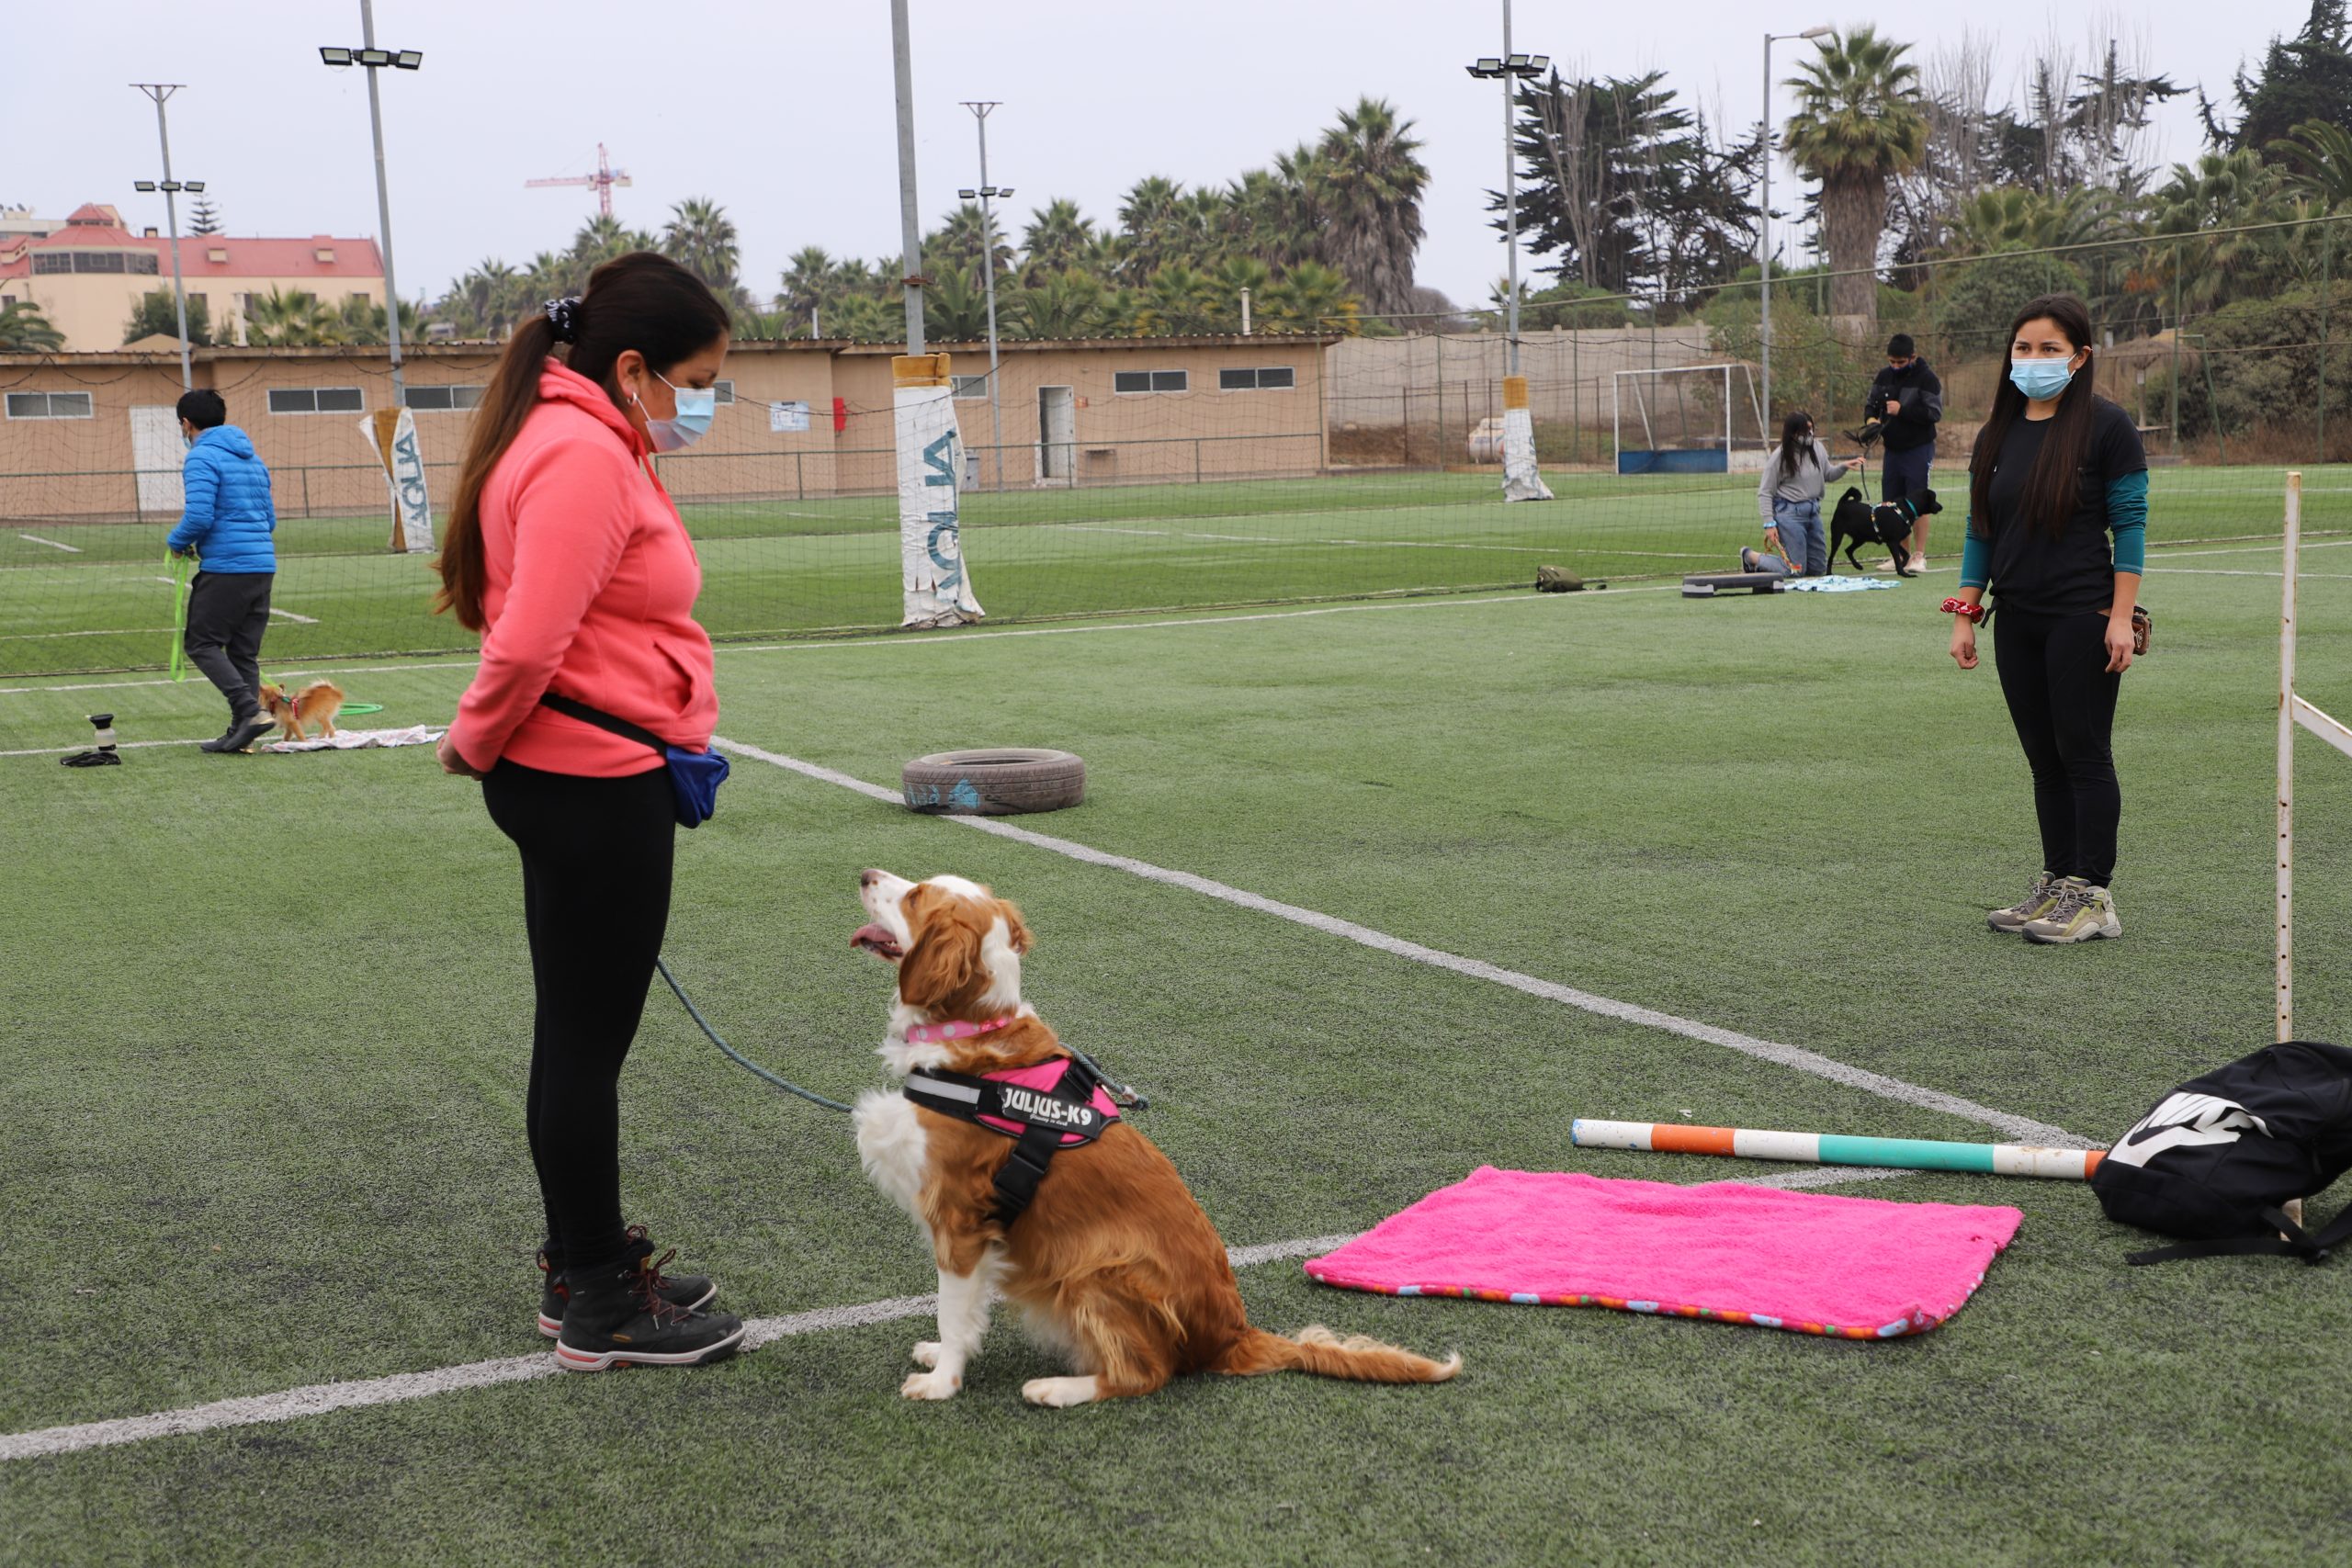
(399, 1388)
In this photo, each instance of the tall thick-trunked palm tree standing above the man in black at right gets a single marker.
(1857, 126)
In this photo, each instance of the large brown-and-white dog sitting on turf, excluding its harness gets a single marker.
(1114, 1264)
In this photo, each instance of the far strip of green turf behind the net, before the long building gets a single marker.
(100, 596)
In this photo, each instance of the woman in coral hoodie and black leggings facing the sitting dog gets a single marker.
(568, 556)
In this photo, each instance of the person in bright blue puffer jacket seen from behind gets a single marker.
(227, 528)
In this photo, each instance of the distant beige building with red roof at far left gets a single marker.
(88, 274)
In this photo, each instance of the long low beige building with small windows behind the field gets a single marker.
(93, 436)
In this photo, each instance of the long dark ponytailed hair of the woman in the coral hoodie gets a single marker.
(641, 302)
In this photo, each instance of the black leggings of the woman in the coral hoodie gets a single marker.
(596, 899)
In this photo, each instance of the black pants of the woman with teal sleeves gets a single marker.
(2062, 697)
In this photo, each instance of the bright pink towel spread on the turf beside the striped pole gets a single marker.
(1800, 1261)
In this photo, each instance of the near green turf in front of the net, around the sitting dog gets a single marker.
(267, 1028)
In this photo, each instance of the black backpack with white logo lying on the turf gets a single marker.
(2221, 1158)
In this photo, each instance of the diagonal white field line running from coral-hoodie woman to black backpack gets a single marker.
(1605, 1007)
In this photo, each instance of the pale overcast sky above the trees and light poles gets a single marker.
(784, 112)
